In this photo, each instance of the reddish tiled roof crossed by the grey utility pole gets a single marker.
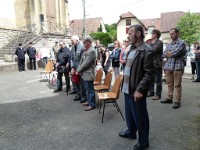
(92, 25)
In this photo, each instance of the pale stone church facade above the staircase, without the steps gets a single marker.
(18, 14)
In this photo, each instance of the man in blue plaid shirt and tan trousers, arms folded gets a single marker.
(174, 67)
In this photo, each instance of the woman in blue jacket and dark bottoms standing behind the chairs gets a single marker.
(115, 57)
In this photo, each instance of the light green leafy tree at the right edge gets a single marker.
(189, 27)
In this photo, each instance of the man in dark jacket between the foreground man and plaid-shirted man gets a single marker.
(158, 50)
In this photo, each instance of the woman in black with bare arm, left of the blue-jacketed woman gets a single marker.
(105, 59)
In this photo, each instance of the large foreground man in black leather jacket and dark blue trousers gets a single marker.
(138, 74)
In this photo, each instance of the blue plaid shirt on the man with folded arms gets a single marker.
(176, 61)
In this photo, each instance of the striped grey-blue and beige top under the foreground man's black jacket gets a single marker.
(129, 62)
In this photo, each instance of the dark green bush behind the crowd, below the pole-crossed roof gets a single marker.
(105, 38)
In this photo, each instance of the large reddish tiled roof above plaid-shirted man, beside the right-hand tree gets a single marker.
(170, 19)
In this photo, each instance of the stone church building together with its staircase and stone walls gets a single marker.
(37, 21)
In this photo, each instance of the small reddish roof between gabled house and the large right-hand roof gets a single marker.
(151, 22)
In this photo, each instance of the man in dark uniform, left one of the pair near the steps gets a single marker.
(20, 52)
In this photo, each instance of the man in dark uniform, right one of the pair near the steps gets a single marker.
(31, 51)
